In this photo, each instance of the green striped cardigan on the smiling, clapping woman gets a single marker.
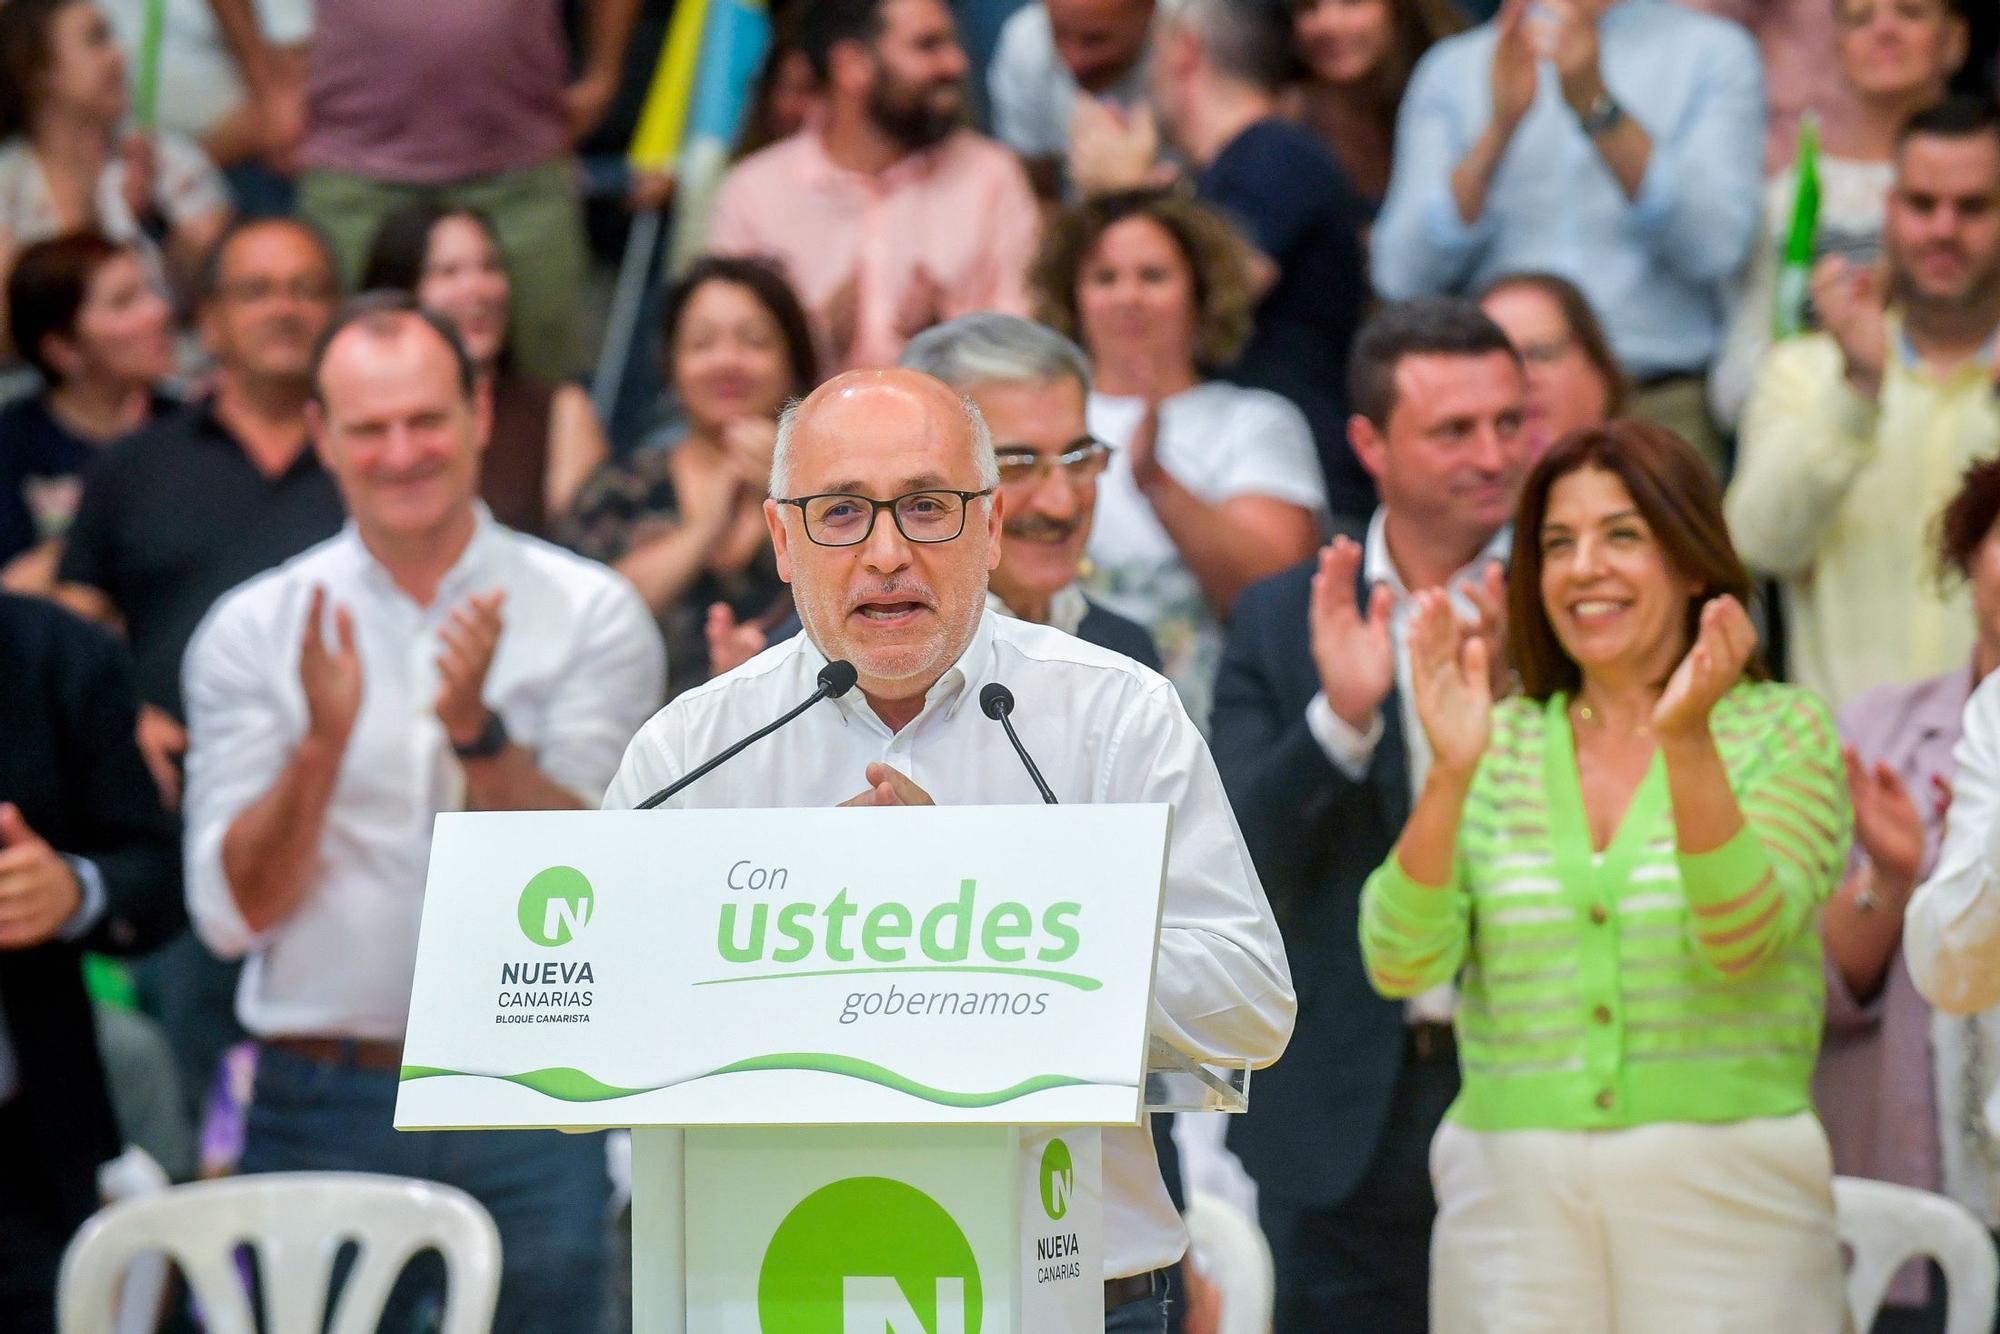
(1649, 985)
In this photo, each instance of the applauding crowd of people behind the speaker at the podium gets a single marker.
(1551, 447)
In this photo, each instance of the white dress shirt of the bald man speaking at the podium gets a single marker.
(1103, 729)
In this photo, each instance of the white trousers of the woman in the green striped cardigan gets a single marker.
(1671, 1229)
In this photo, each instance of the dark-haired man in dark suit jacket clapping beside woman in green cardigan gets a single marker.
(1317, 749)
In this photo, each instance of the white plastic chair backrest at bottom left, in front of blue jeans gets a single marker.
(297, 1223)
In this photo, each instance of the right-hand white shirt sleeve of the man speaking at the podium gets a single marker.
(1223, 987)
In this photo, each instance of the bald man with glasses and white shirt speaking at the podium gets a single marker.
(887, 523)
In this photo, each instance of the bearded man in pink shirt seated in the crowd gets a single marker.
(889, 217)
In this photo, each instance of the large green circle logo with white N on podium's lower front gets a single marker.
(869, 1253)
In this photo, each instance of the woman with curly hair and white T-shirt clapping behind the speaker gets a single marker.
(1211, 485)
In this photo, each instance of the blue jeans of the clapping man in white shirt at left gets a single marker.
(547, 1191)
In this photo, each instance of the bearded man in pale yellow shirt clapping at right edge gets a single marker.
(1855, 437)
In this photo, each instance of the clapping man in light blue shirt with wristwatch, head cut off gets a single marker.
(1613, 143)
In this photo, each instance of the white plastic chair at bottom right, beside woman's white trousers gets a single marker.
(1887, 1225)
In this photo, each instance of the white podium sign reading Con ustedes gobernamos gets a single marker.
(785, 967)
